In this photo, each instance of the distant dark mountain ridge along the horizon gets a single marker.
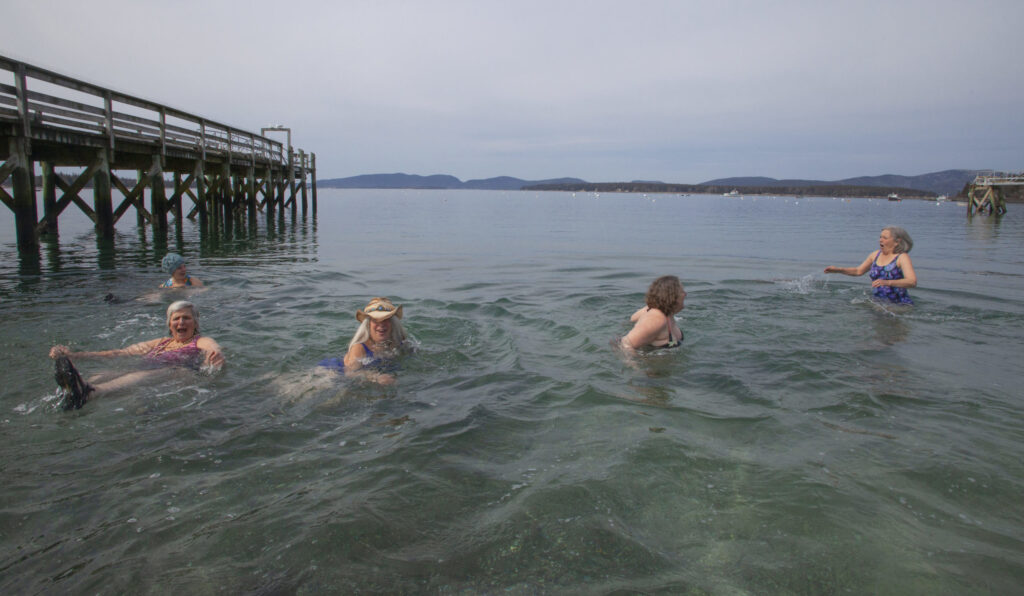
(946, 183)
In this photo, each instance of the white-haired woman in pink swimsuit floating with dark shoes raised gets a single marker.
(184, 349)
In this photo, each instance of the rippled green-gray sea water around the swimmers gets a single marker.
(804, 441)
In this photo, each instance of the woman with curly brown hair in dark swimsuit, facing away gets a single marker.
(655, 325)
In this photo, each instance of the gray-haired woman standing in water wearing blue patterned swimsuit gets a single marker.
(890, 267)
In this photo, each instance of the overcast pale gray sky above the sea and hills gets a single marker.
(679, 92)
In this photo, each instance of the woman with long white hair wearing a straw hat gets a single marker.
(373, 349)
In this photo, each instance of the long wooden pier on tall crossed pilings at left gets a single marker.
(61, 122)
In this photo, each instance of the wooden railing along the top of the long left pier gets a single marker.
(42, 101)
